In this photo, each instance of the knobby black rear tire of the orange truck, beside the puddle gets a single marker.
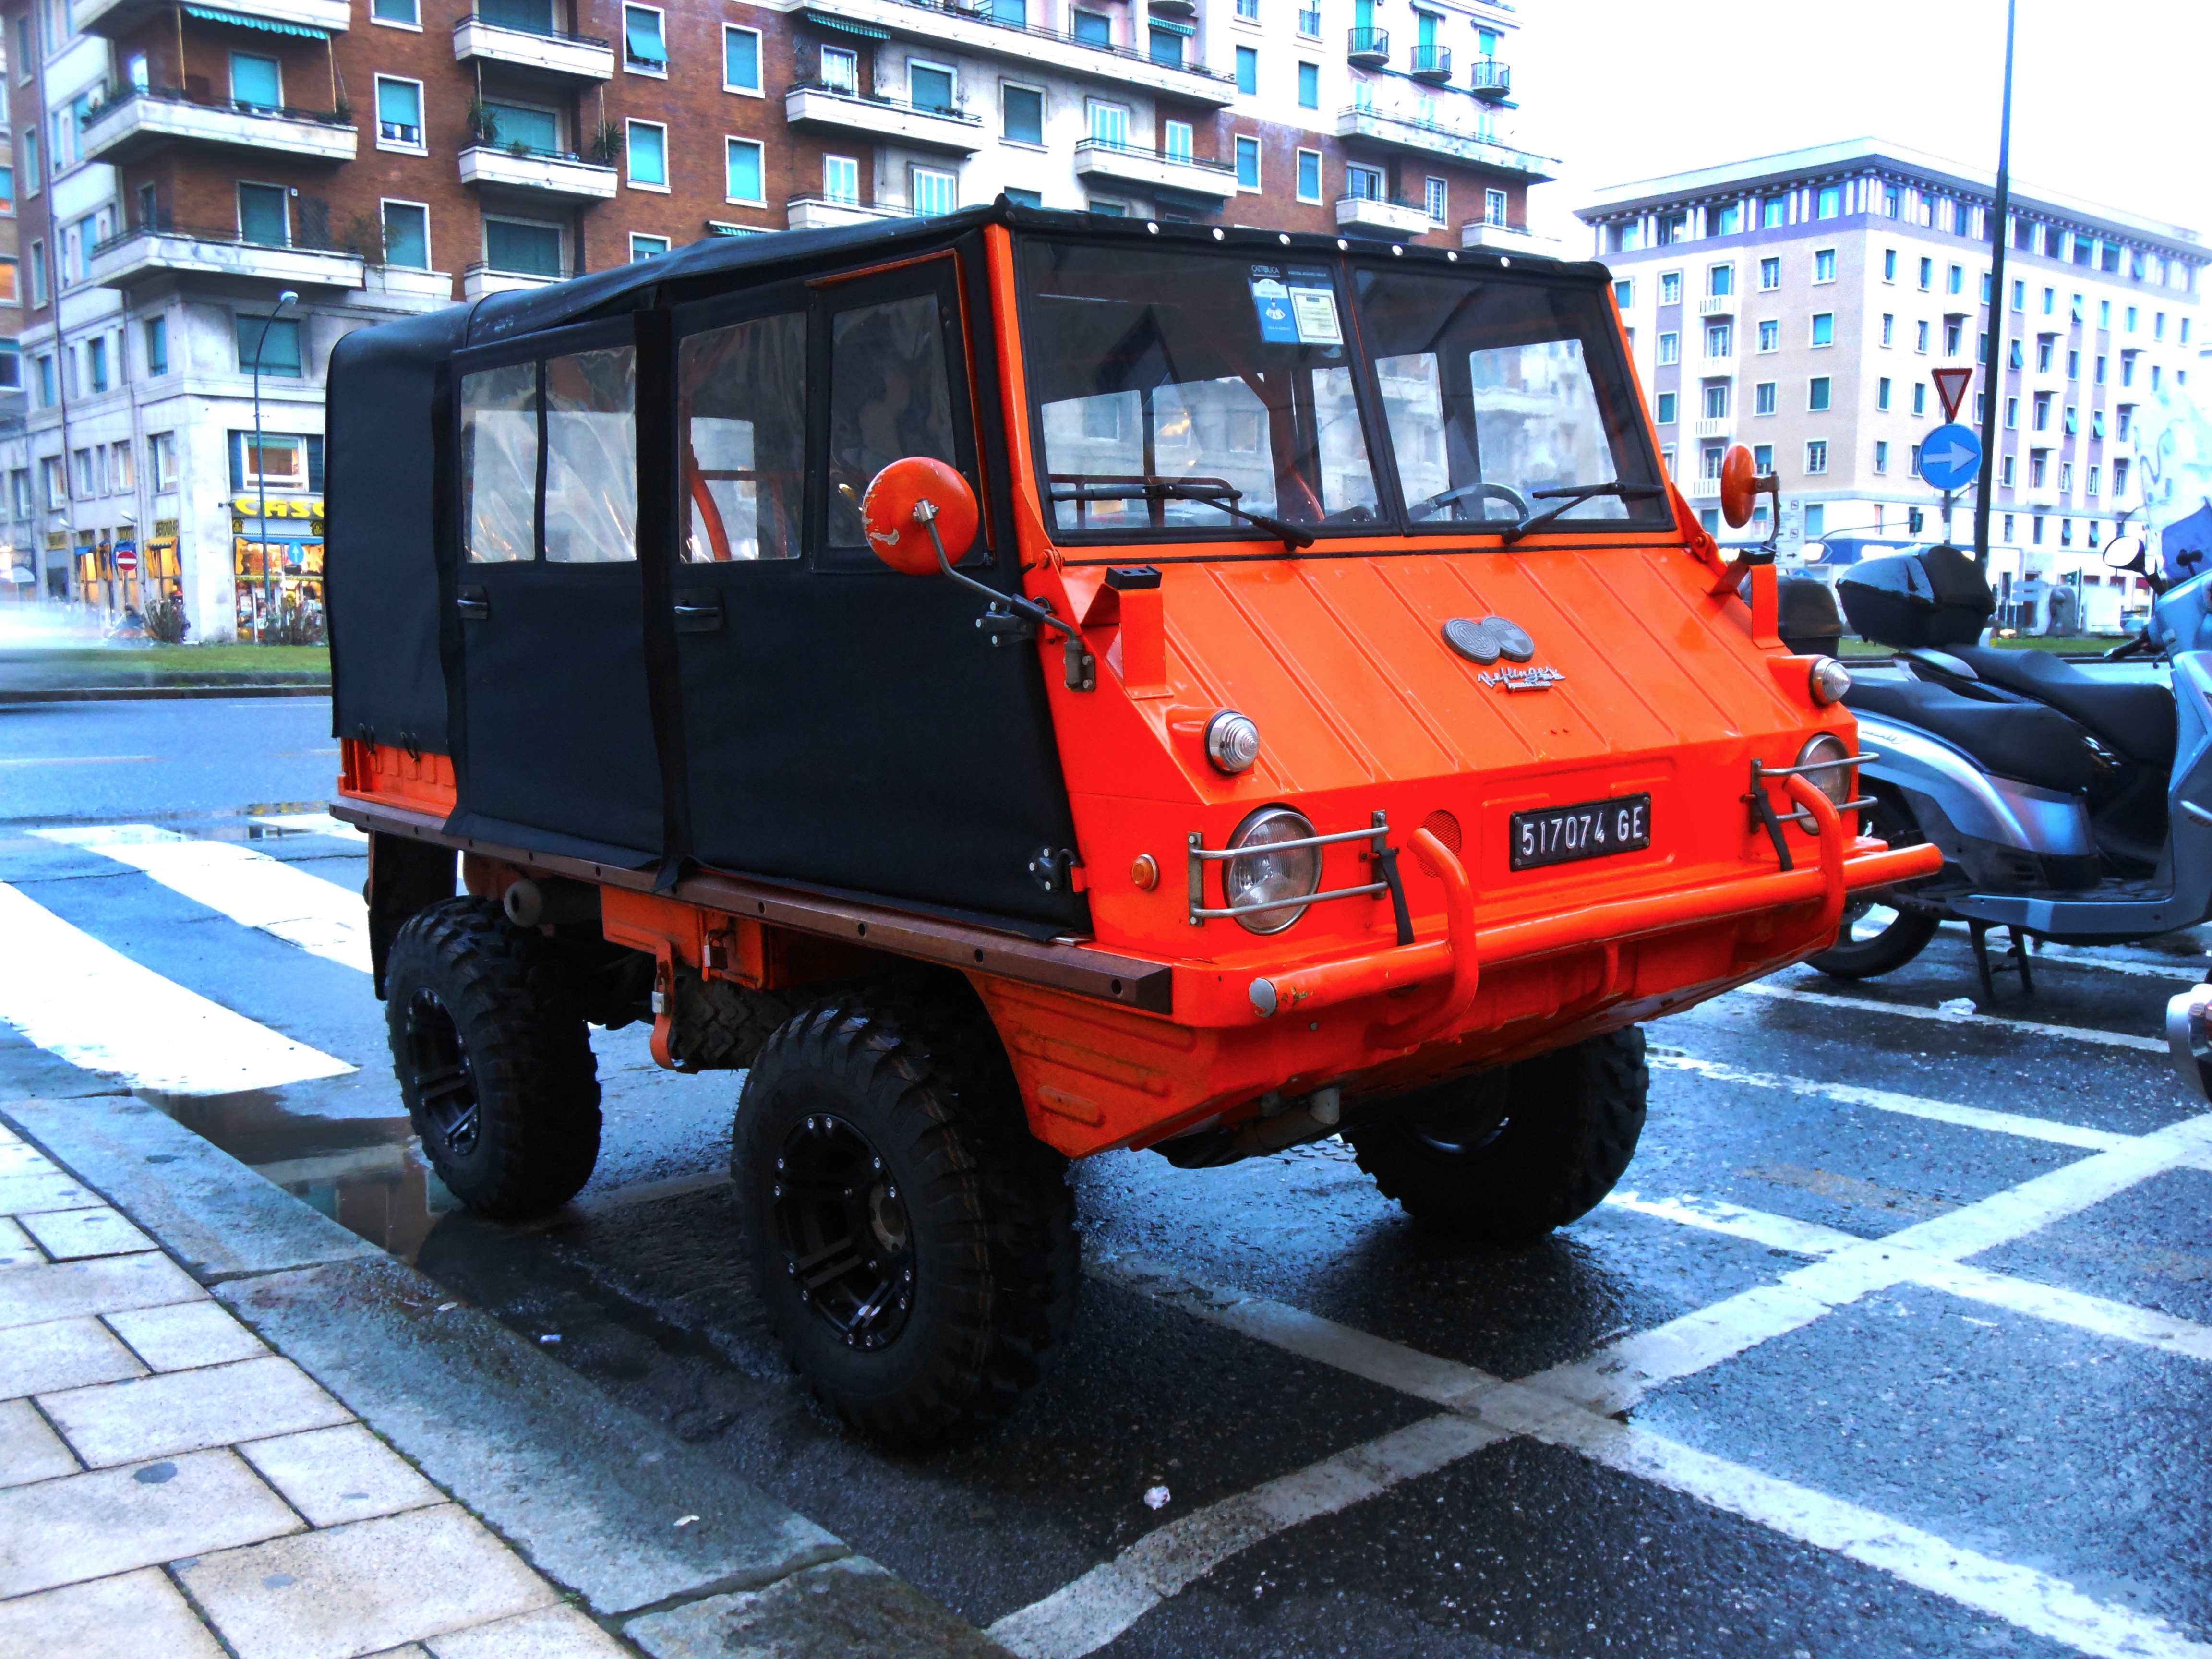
(494, 1065)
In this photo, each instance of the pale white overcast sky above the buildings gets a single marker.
(2111, 105)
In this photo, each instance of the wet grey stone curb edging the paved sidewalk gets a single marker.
(658, 1541)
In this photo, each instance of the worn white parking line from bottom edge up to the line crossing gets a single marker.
(1107, 1600)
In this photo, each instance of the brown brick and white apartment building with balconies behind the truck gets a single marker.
(187, 165)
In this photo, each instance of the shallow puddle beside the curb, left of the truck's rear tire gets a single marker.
(366, 1173)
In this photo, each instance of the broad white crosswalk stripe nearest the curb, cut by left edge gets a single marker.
(96, 1008)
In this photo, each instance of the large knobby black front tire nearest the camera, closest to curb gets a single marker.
(915, 1244)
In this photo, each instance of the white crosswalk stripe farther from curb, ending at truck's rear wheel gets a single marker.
(251, 888)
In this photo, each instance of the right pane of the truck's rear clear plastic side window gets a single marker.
(592, 457)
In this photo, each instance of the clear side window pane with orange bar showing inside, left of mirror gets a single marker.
(744, 415)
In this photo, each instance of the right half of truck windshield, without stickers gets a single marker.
(1499, 390)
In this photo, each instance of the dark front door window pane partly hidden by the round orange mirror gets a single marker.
(888, 399)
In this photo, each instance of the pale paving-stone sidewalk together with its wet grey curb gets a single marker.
(174, 1485)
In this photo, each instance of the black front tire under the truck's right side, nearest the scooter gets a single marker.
(1514, 1154)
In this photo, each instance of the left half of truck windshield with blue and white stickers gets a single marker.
(1178, 386)
